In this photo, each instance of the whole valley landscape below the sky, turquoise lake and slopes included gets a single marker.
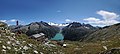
(79, 39)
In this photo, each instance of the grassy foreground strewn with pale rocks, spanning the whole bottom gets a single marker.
(21, 44)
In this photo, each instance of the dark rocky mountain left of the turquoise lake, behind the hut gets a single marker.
(36, 28)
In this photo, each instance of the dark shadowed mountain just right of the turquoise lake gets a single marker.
(76, 31)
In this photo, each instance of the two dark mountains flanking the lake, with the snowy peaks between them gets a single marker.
(75, 30)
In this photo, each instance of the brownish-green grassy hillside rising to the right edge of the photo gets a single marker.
(106, 33)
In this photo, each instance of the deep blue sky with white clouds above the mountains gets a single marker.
(94, 12)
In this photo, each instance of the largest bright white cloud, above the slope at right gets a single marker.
(109, 18)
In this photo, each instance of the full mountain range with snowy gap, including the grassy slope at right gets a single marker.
(71, 31)
